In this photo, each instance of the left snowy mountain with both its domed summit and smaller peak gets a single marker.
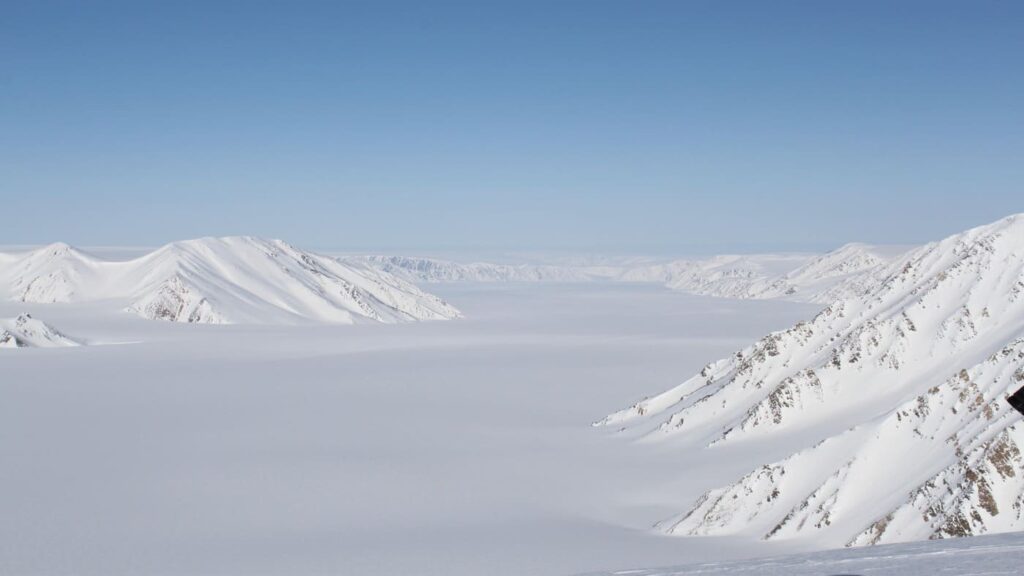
(223, 280)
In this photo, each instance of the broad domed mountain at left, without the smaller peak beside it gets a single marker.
(226, 280)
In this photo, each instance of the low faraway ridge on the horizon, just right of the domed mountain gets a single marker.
(438, 271)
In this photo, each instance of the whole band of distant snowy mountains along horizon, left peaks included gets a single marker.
(250, 280)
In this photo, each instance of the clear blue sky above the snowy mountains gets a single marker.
(623, 127)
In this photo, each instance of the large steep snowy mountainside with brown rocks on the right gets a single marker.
(895, 398)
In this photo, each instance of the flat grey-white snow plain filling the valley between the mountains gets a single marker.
(450, 448)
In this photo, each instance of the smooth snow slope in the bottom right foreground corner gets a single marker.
(985, 556)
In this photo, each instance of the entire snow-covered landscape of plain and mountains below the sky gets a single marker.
(285, 441)
